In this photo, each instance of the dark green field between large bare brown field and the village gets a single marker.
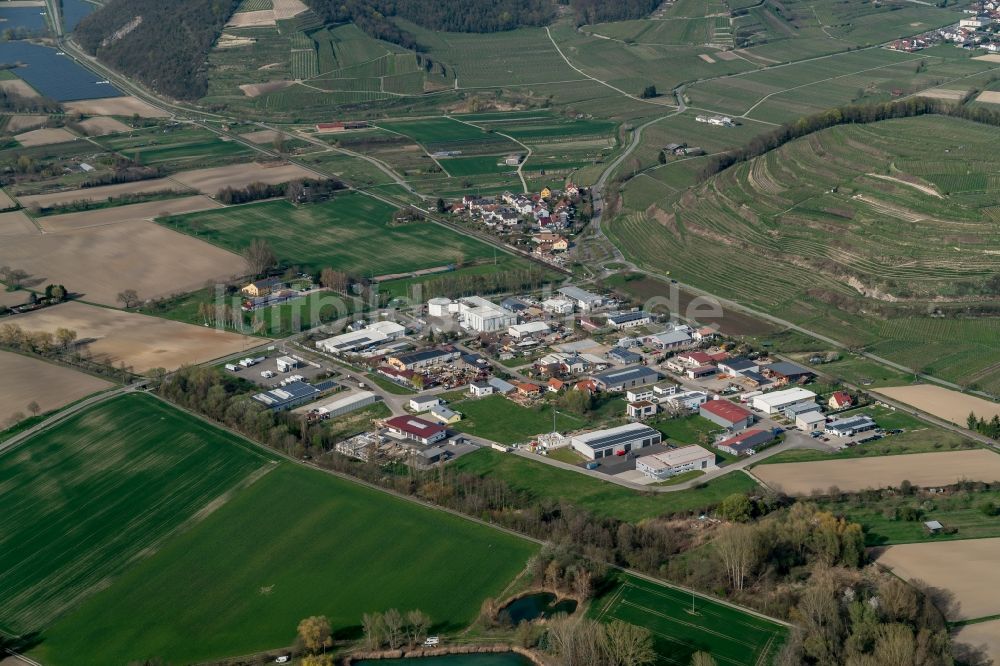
(350, 233)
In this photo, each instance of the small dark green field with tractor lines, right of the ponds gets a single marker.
(683, 624)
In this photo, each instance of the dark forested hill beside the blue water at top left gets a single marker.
(163, 43)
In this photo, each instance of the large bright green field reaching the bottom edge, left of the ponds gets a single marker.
(298, 542)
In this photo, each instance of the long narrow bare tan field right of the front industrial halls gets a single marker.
(855, 474)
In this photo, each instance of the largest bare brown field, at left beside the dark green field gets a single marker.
(99, 262)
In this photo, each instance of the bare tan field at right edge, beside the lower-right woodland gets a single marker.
(966, 569)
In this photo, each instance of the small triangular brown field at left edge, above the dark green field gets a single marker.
(25, 380)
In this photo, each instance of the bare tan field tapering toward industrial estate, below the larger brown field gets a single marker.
(136, 340)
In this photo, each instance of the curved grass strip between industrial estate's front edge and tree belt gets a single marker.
(545, 482)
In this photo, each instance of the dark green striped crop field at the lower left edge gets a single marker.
(87, 498)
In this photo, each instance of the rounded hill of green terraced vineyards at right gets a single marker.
(843, 227)
